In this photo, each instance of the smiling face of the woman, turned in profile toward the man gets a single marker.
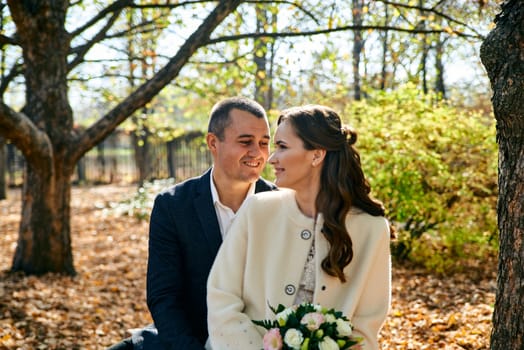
(293, 163)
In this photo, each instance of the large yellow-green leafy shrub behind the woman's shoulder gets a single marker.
(435, 169)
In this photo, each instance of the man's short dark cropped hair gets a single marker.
(219, 117)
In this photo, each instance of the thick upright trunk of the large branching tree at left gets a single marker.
(44, 243)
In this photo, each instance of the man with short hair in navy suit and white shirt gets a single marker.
(189, 220)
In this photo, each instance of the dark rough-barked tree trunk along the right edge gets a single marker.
(502, 54)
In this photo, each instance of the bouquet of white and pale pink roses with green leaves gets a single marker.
(308, 327)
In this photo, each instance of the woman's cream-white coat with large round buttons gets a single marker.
(262, 260)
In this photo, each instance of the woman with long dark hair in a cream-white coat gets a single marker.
(323, 239)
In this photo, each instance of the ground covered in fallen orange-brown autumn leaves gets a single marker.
(94, 309)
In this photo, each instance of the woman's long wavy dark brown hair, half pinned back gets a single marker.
(342, 181)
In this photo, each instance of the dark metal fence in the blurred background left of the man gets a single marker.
(113, 161)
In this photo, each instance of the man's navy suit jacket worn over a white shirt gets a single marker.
(184, 238)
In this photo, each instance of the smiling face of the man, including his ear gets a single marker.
(244, 150)
